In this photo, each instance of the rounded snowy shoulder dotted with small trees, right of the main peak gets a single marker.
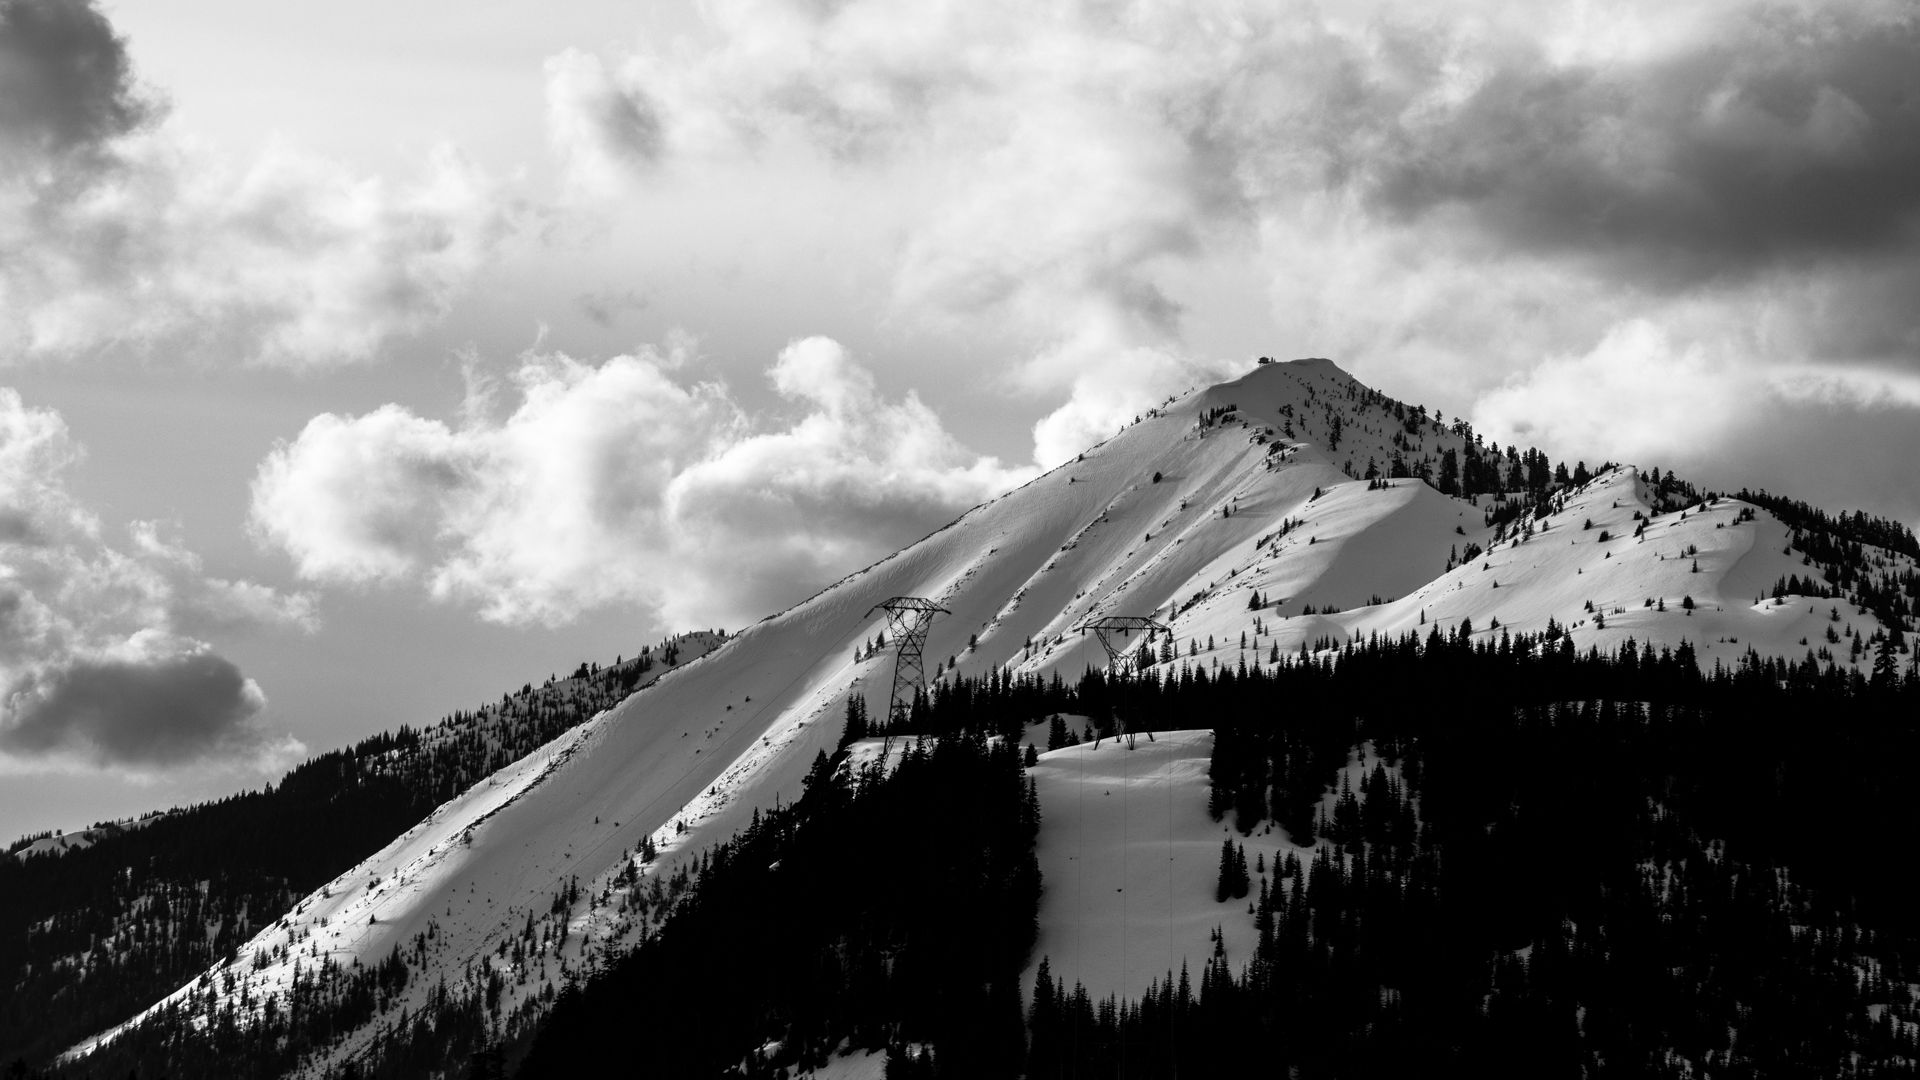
(1598, 581)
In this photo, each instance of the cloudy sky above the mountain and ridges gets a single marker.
(362, 362)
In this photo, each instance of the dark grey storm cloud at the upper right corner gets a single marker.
(1788, 137)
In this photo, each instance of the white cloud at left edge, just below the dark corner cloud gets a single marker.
(289, 260)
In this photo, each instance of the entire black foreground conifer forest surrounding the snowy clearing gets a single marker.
(1554, 864)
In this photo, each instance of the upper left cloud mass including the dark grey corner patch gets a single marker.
(122, 232)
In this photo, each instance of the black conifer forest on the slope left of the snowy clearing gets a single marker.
(880, 912)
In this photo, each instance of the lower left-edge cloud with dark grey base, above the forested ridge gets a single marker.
(99, 656)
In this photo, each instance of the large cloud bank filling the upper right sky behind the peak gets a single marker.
(1441, 199)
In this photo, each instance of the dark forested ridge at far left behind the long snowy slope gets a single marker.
(95, 935)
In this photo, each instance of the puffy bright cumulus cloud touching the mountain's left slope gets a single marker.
(619, 483)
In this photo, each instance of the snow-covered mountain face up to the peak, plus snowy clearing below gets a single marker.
(1278, 516)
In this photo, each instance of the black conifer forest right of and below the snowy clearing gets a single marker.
(1639, 873)
